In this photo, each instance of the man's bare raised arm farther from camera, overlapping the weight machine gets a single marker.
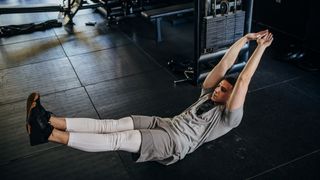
(218, 72)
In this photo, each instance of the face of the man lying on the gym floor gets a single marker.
(222, 92)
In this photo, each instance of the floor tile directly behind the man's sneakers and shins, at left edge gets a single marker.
(14, 141)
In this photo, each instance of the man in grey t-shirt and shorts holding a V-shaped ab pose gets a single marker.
(165, 140)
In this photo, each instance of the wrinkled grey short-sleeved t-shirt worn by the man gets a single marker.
(190, 131)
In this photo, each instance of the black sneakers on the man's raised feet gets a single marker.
(38, 125)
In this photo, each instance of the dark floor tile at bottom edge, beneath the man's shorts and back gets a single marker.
(229, 157)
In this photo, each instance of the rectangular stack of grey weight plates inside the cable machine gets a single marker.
(221, 31)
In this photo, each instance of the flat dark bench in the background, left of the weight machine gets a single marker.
(157, 15)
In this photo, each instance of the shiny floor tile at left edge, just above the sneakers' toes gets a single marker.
(45, 77)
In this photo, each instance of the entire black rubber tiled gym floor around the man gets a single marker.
(103, 72)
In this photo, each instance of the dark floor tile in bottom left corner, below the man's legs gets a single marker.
(66, 163)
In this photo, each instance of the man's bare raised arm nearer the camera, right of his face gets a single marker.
(240, 89)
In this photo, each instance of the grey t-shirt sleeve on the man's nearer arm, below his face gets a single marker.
(233, 118)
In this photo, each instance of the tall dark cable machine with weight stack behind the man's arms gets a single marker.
(218, 24)
